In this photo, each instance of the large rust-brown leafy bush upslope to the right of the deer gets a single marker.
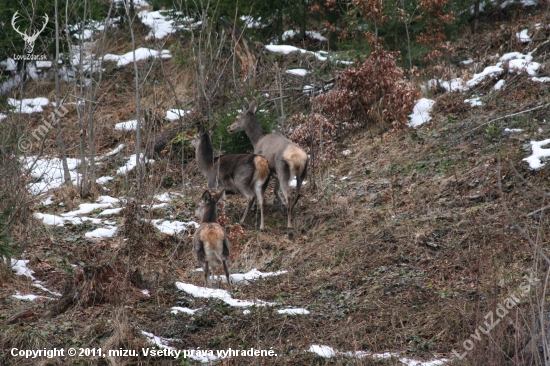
(374, 92)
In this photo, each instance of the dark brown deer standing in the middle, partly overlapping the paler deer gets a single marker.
(246, 174)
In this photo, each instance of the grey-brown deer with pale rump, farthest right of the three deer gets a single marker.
(286, 159)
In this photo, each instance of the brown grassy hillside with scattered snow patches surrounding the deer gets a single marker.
(405, 238)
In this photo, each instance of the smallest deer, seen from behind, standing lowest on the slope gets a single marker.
(210, 244)
